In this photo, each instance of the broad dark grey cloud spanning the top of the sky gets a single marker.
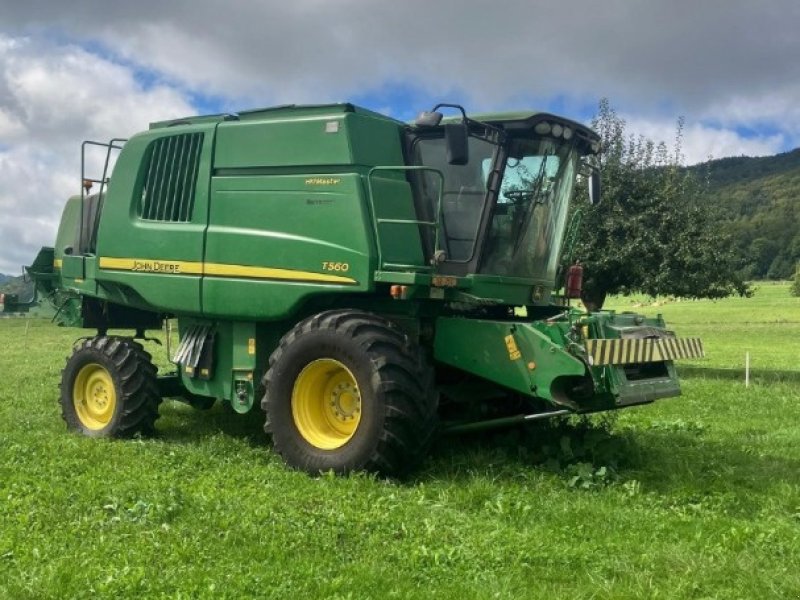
(690, 54)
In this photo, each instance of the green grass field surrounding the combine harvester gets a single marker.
(695, 497)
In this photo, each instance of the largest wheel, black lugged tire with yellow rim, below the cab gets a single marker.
(349, 391)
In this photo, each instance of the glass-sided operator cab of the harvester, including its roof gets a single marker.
(506, 187)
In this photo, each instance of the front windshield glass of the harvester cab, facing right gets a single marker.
(528, 220)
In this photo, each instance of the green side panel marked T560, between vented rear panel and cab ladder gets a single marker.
(277, 222)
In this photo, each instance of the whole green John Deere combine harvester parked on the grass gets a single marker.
(367, 282)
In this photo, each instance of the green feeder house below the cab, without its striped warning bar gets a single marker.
(542, 359)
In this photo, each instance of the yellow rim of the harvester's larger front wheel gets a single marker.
(326, 404)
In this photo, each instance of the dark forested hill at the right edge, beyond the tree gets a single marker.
(760, 202)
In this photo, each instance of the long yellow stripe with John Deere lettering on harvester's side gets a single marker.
(180, 267)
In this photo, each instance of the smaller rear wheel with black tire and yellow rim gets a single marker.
(108, 388)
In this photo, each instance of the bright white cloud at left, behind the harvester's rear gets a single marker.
(51, 99)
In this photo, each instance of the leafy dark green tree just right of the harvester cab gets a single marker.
(651, 233)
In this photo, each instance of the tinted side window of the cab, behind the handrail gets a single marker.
(463, 196)
